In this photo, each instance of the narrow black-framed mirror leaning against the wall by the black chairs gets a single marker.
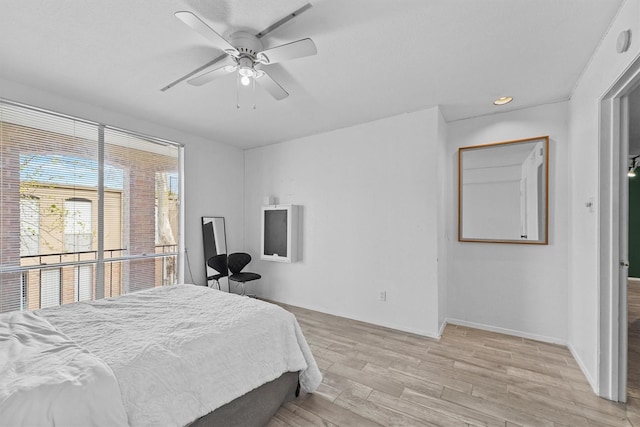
(214, 238)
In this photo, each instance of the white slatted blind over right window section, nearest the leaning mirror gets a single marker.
(147, 173)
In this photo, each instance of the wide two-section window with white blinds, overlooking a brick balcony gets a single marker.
(100, 207)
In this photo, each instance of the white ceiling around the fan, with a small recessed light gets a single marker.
(376, 58)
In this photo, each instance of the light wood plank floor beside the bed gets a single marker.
(375, 376)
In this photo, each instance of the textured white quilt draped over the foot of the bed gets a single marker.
(181, 351)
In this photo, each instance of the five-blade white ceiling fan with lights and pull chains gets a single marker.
(244, 54)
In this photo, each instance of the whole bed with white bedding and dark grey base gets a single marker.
(172, 356)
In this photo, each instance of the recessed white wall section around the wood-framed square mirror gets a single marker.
(512, 288)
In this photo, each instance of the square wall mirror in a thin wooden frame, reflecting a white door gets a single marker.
(503, 192)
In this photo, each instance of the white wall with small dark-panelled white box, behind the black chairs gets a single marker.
(370, 220)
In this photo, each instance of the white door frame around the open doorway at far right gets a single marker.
(613, 224)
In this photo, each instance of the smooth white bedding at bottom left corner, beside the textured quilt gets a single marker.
(47, 379)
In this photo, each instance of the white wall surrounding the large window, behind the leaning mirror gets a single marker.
(214, 172)
